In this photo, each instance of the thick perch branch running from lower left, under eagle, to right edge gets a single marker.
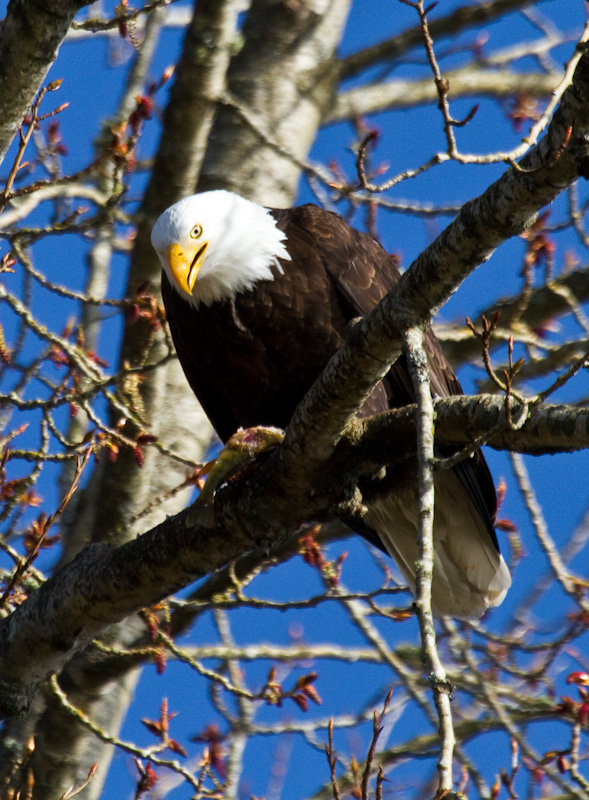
(103, 585)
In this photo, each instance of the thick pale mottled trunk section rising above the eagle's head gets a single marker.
(279, 88)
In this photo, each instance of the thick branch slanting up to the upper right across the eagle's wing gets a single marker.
(504, 210)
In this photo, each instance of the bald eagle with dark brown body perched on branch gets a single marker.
(258, 300)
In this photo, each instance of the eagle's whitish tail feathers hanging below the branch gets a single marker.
(469, 575)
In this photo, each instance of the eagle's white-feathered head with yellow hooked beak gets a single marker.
(216, 244)
